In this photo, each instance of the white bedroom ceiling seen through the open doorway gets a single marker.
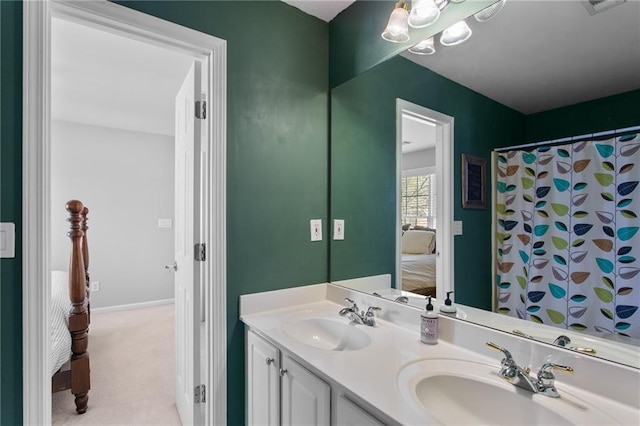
(103, 79)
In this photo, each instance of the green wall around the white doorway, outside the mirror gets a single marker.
(277, 89)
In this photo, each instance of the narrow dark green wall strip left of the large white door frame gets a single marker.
(10, 210)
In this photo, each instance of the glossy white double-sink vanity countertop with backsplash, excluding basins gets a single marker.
(371, 373)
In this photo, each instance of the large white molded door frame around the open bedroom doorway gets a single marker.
(37, 16)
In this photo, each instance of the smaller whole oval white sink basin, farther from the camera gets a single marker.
(328, 333)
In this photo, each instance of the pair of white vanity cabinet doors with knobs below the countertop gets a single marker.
(280, 391)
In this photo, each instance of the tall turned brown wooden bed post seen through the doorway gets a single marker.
(78, 318)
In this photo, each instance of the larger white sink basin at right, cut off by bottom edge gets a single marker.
(456, 392)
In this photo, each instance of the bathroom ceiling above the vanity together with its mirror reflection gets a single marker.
(537, 55)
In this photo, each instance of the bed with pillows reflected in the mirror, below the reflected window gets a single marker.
(419, 261)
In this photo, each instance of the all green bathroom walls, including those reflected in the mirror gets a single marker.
(278, 146)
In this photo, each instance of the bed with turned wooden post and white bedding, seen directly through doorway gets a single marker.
(70, 291)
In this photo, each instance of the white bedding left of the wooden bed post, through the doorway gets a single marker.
(60, 306)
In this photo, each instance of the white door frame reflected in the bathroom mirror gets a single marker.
(444, 192)
